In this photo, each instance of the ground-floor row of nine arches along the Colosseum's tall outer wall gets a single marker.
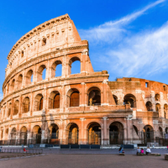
(116, 133)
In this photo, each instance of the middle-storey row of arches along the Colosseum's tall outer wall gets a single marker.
(54, 100)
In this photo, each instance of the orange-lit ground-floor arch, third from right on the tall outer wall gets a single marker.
(73, 133)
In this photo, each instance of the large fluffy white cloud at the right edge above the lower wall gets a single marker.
(145, 53)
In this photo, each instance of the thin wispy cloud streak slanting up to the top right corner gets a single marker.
(113, 30)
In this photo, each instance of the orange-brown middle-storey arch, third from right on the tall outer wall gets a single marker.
(54, 100)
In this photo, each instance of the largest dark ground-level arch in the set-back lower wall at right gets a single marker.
(148, 134)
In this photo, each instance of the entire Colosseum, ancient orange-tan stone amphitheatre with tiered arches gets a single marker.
(39, 106)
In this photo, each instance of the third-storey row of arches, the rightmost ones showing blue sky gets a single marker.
(55, 71)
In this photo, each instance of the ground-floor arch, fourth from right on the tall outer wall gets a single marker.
(54, 132)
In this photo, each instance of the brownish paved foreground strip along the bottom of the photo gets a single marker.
(86, 161)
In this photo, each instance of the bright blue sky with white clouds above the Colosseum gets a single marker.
(127, 38)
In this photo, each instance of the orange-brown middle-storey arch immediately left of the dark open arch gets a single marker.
(73, 97)
